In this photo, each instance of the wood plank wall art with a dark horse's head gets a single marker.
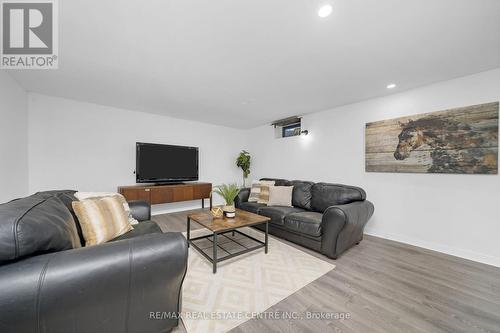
(462, 140)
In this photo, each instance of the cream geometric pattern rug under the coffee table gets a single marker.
(243, 286)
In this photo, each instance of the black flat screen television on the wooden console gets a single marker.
(157, 163)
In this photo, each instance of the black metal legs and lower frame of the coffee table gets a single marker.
(213, 238)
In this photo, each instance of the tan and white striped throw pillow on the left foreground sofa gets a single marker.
(101, 219)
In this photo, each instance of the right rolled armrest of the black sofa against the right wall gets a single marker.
(343, 226)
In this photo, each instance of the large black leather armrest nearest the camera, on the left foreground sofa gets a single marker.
(113, 287)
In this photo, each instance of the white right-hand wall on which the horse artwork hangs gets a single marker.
(455, 214)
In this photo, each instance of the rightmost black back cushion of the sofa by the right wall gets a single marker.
(325, 195)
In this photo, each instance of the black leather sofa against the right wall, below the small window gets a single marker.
(328, 218)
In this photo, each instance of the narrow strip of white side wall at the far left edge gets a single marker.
(13, 139)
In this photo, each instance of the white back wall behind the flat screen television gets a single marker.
(89, 147)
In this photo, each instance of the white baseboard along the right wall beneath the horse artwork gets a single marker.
(466, 254)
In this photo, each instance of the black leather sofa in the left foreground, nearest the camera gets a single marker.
(131, 284)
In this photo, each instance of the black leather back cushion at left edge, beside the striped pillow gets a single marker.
(35, 225)
